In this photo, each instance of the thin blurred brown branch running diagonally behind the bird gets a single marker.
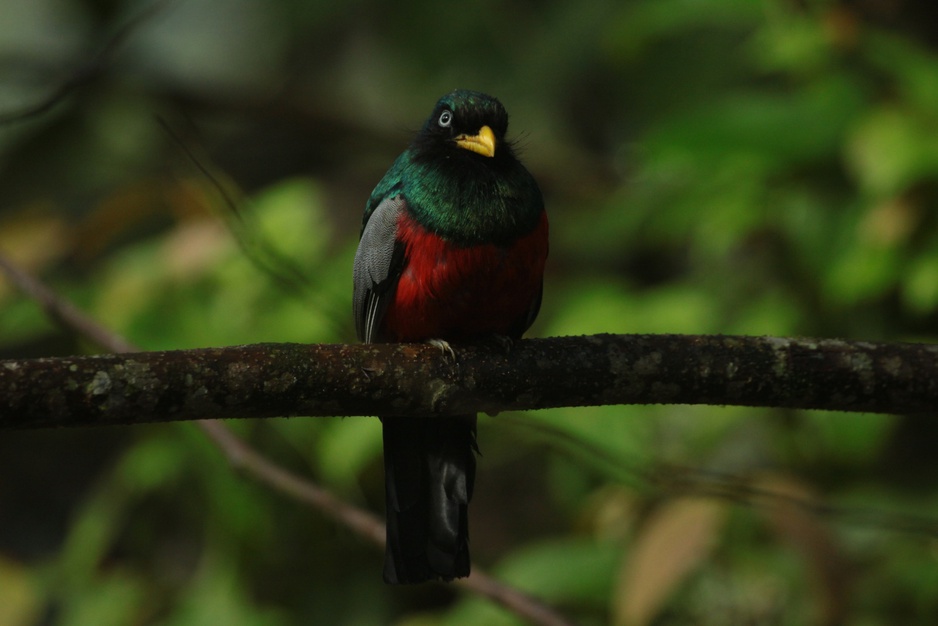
(243, 457)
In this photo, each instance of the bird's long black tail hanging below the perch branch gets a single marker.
(429, 467)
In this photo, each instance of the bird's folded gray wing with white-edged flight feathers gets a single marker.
(379, 261)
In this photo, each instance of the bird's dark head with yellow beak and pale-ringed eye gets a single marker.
(465, 120)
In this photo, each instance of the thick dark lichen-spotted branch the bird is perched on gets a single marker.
(277, 380)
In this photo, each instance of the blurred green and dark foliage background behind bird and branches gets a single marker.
(709, 166)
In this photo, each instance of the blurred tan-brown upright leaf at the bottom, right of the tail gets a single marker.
(672, 543)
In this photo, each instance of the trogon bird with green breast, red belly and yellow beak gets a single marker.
(453, 246)
